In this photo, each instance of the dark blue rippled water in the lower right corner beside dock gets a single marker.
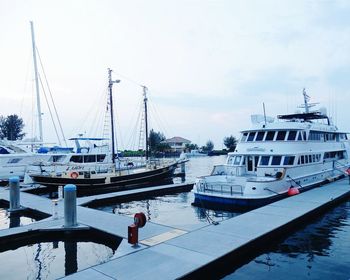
(318, 250)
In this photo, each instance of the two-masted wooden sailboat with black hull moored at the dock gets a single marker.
(117, 175)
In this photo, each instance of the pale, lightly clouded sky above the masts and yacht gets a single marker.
(208, 65)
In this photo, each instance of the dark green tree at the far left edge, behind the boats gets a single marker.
(11, 127)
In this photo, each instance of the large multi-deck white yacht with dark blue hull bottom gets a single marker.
(276, 158)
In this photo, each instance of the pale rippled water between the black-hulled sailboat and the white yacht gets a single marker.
(176, 209)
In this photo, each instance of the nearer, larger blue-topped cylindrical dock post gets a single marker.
(70, 205)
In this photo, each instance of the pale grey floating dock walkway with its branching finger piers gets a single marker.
(166, 252)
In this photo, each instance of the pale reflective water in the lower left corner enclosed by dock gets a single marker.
(51, 260)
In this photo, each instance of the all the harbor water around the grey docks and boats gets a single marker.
(317, 249)
